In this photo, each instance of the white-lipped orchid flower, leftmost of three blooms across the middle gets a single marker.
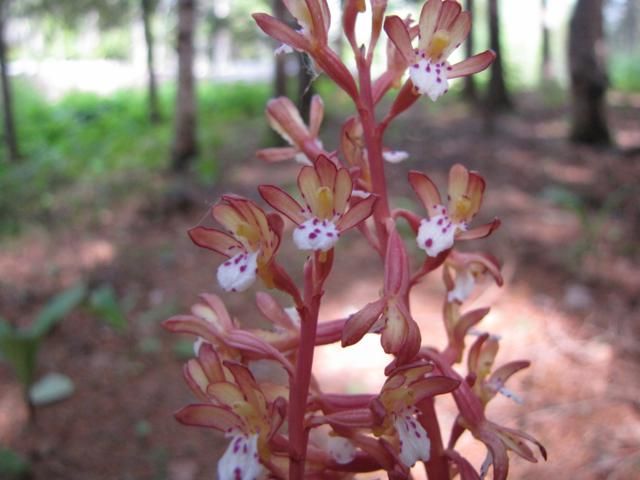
(251, 241)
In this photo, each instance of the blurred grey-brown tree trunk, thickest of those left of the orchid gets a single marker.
(184, 144)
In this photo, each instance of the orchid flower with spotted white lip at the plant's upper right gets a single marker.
(442, 28)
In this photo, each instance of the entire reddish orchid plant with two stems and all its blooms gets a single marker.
(256, 386)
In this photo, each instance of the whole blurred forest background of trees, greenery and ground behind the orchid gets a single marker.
(124, 120)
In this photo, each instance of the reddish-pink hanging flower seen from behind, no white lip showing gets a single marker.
(389, 315)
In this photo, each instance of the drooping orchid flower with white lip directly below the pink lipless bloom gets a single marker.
(396, 410)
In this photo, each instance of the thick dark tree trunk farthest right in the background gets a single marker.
(588, 74)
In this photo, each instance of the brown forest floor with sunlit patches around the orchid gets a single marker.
(569, 243)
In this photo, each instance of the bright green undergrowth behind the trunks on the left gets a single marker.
(102, 142)
